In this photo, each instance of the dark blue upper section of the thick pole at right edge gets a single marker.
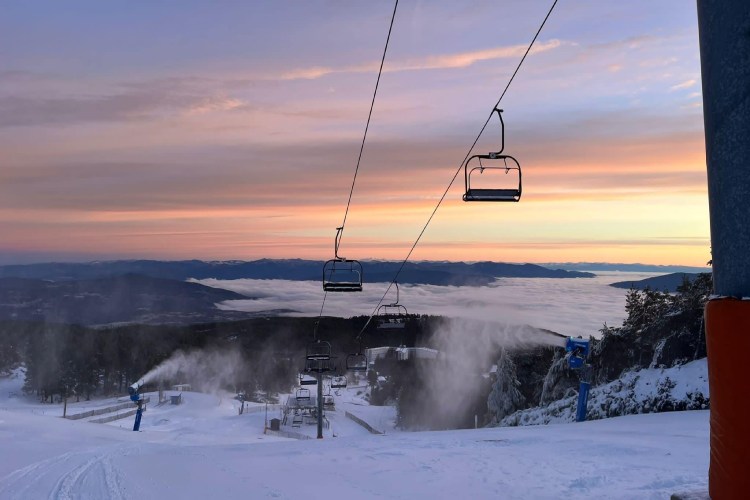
(725, 68)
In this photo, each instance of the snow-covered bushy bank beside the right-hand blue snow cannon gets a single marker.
(682, 387)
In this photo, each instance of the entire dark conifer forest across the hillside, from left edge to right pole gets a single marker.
(661, 330)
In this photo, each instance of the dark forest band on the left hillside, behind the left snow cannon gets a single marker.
(73, 360)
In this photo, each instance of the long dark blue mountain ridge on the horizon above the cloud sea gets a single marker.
(431, 273)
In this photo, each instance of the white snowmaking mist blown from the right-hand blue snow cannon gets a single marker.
(469, 349)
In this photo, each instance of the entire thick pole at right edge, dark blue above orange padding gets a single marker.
(724, 29)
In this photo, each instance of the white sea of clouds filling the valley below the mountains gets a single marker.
(568, 306)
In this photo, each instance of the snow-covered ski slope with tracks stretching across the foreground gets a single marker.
(204, 449)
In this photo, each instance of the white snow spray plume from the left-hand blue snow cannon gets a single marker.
(204, 370)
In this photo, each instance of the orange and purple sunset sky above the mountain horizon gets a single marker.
(230, 130)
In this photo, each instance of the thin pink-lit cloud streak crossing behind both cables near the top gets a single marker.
(443, 61)
